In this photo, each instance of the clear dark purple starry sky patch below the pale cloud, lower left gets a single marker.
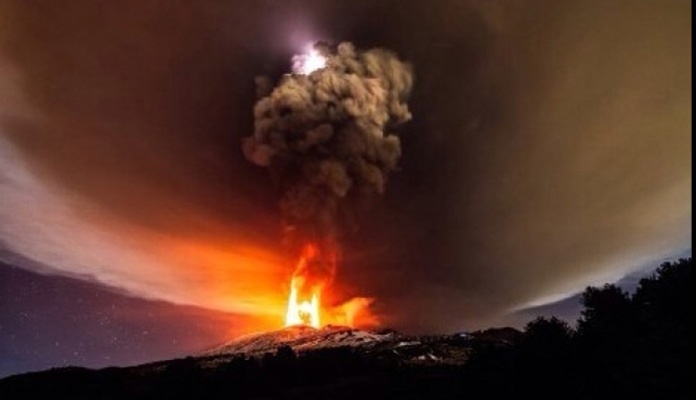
(57, 321)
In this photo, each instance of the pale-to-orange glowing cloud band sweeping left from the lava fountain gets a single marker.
(217, 268)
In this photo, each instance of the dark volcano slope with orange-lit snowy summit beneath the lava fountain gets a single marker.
(299, 361)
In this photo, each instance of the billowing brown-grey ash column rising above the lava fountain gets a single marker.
(323, 132)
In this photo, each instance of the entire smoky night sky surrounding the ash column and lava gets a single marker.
(550, 149)
